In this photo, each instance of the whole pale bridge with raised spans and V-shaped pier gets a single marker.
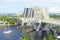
(39, 18)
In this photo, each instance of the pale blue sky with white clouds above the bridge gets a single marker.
(14, 6)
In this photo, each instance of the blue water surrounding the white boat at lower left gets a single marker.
(14, 35)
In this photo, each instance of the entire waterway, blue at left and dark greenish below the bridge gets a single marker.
(16, 34)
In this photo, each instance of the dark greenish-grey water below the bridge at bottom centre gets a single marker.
(34, 35)
